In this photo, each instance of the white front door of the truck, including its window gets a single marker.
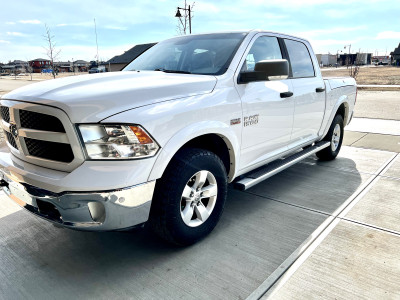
(267, 115)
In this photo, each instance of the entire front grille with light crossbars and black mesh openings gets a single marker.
(41, 135)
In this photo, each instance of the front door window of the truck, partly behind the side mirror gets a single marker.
(264, 48)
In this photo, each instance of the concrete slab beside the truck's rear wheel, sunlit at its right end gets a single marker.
(354, 160)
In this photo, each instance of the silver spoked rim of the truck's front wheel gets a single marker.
(198, 198)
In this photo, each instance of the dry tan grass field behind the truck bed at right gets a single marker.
(386, 75)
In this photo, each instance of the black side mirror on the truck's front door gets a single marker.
(266, 70)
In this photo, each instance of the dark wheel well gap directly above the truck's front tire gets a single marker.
(215, 144)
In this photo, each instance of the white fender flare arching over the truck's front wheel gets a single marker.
(189, 133)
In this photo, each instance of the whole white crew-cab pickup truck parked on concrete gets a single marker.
(159, 142)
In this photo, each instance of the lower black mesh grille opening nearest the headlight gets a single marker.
(49, 150)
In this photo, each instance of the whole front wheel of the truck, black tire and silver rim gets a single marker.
(190, 197)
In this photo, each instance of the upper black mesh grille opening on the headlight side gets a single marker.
(34, 120)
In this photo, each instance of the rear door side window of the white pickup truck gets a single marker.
(299, 59)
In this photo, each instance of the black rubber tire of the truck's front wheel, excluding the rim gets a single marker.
(165, 215)
